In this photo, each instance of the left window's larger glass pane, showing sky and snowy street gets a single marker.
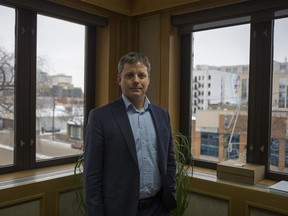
(60, 85)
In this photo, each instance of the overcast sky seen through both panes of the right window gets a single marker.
(230, 45)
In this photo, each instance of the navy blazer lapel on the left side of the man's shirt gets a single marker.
(120, 114)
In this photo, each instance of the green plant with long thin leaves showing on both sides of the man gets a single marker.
(184, 161)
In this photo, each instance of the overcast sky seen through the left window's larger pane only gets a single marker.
(61, 43)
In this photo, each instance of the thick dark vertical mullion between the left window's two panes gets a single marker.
(23, 83)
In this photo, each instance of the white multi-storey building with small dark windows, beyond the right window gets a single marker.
(217, 85)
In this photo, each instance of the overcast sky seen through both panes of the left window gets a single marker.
(60, 43)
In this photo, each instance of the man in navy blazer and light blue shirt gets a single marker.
(129, 167)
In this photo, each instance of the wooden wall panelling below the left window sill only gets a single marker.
(40, 195)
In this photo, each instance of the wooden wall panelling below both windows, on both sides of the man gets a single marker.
(56, 196)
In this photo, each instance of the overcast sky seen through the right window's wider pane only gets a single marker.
(224, 46)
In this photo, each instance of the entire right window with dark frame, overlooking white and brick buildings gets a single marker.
(245, 52)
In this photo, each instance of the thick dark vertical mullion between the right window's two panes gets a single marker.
(259, 91)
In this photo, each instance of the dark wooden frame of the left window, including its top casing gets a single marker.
(25, 75)
